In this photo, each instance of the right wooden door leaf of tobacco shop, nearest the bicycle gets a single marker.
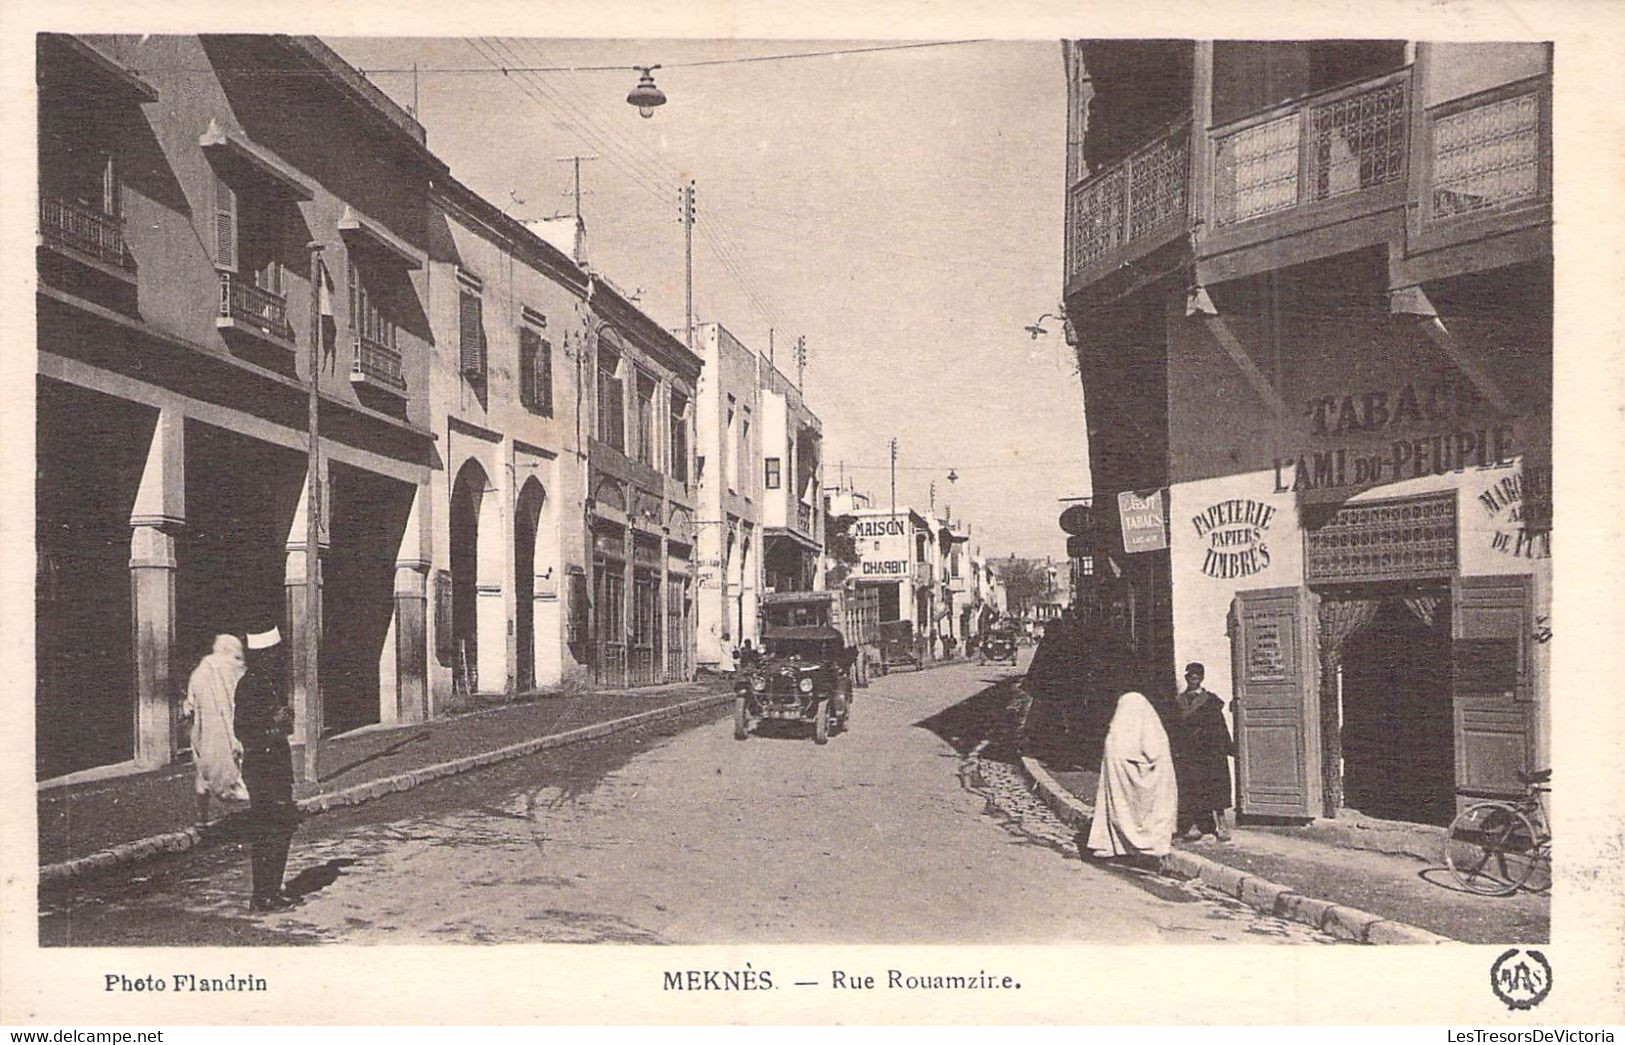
(1491, 683)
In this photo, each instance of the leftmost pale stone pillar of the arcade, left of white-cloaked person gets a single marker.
(155, 521)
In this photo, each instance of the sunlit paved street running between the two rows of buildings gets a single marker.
(908, 830)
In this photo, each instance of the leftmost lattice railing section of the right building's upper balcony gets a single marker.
(1133, 201)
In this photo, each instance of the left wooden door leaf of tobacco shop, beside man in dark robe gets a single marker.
(1276, 672)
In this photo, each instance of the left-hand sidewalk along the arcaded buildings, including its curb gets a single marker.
(92, 826)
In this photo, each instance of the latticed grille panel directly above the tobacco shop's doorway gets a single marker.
(1405, 539)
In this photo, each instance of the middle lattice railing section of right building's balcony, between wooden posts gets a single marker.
(1312, 150)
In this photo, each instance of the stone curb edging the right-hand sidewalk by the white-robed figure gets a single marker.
(1257, 893)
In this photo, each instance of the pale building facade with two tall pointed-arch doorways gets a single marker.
(505, 519)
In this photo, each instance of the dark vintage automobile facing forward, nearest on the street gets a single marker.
(805, 675)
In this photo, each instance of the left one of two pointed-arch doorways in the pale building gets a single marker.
(479, 623)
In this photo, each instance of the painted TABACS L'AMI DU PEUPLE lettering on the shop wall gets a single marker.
(1363, 440)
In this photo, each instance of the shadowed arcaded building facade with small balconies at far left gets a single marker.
(178, 311)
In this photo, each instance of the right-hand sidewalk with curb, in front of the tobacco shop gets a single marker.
(1304, 875)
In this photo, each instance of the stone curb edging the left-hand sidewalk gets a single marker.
(181, 841)
